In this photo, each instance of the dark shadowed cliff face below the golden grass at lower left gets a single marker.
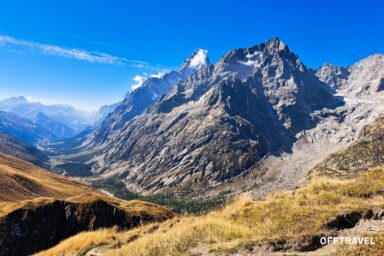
(31, 229)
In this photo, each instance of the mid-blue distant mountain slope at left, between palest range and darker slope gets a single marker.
(23, 129)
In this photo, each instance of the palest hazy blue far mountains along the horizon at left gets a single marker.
(61, 120)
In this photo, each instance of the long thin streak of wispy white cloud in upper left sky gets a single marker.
(73, 53)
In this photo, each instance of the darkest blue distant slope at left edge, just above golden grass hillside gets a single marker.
(16, 148)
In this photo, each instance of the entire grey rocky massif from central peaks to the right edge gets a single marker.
(258, 106)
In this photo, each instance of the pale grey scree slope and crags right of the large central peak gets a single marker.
(335, 131)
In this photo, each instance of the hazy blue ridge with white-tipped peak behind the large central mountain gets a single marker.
(150, 91)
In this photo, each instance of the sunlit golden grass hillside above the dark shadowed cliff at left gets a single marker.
(23, 185)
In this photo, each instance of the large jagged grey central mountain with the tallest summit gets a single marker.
(219, 122)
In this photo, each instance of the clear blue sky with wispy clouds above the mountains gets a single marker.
(86, 53)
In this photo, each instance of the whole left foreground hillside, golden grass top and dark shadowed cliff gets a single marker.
(38, 208)
